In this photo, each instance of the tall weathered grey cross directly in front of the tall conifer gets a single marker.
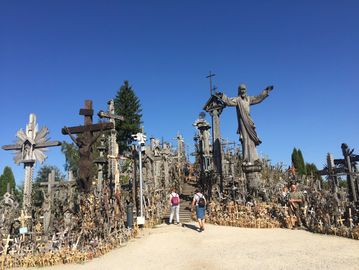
(113, 154)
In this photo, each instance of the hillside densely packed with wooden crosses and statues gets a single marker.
(112, 195)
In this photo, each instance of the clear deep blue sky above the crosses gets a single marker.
(56, 54)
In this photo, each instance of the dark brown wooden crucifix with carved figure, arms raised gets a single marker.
(84, 141)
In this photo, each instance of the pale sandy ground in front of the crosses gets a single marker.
(176, 247)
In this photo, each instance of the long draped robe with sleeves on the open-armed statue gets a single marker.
(246, 128)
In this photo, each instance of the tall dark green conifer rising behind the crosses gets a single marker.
(128, 105)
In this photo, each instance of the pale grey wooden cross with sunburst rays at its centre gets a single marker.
(29, 148)
